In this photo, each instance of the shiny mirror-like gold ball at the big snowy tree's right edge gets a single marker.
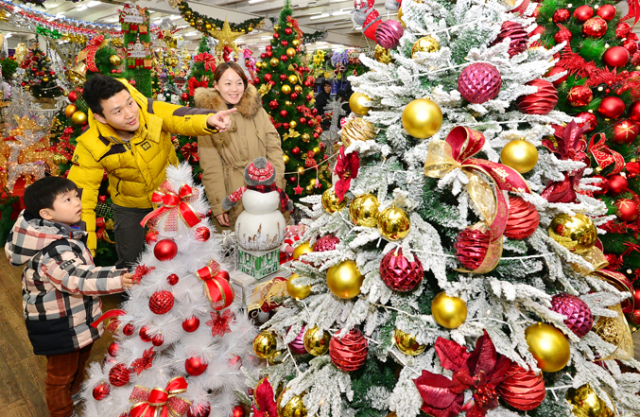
(576, 233)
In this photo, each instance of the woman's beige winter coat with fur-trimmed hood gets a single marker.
(224, 156)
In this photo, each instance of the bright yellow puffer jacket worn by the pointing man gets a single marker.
(135, 168)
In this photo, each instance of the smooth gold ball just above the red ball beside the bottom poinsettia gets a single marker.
(548, 346)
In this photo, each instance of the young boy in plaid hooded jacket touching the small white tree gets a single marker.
(60, 286)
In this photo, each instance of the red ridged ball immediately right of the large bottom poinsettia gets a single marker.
(522, 389)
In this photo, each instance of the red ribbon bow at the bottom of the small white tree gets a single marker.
(160, 402)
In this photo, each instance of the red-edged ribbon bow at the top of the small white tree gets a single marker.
(172, 206)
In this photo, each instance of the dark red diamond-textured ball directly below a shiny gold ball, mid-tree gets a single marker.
(399, 274)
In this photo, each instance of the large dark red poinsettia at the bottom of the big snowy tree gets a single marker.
(481, 371)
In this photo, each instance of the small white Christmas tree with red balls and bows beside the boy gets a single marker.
(180, 344)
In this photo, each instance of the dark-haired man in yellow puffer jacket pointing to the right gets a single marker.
(129, 137)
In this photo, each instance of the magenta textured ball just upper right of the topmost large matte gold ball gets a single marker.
(479, 82)
